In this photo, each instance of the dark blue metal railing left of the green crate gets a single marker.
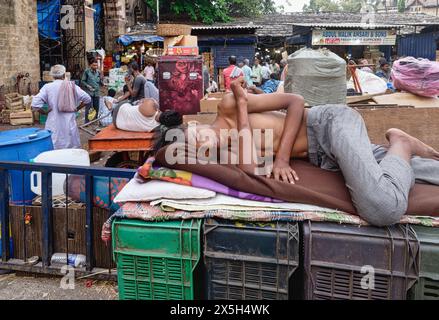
(46, 170)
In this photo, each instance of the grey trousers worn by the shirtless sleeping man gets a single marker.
(379, 183)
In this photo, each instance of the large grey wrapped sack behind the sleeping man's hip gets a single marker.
(317, 75)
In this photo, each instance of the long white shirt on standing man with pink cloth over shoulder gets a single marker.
(65, 134)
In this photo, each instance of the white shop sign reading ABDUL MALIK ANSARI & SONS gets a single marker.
(353, 37)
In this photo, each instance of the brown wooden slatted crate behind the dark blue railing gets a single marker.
(28, 238)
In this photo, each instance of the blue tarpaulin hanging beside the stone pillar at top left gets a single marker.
(49, 19)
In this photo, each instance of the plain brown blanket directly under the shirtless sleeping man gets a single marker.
(316, 186)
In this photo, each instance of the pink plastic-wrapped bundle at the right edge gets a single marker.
(418, 76)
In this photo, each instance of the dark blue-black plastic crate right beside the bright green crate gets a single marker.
(250, 260)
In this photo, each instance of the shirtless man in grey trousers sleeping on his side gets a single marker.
(333, 137)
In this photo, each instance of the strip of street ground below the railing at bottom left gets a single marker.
(23, 287)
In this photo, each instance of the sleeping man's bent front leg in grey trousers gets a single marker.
(379, 191)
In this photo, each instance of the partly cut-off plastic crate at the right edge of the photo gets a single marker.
(427, 288)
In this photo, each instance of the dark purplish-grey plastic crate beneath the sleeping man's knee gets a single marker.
(338, 260)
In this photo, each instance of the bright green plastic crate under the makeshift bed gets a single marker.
(156, 260)
